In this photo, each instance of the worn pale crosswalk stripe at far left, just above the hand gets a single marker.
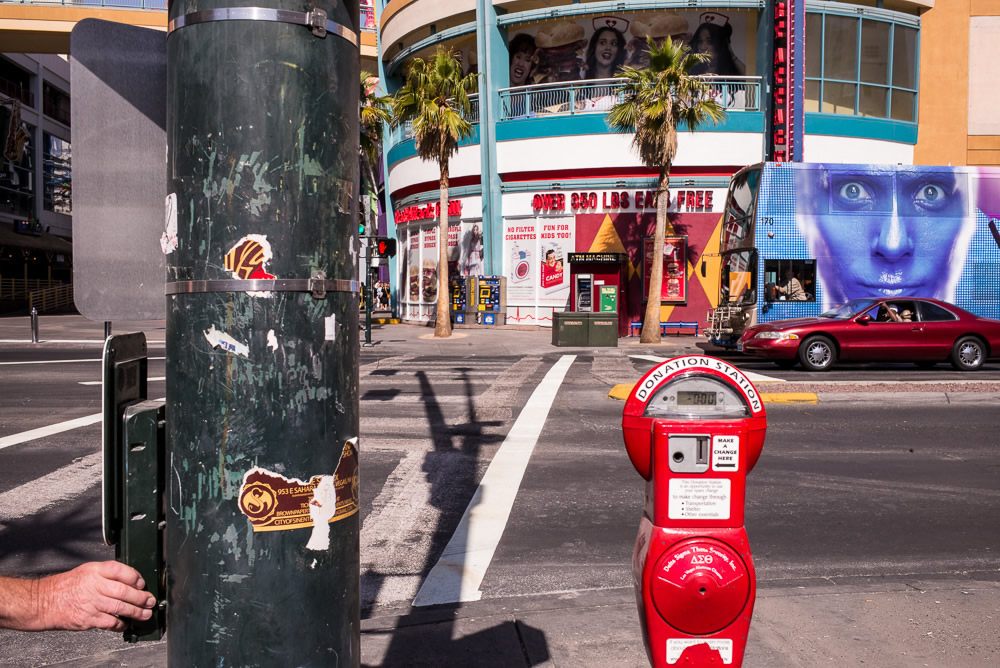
(62, 484)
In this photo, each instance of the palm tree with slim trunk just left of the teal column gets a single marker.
(435, 98)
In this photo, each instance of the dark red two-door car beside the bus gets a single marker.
(896, 329)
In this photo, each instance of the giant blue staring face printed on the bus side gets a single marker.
(877, 232)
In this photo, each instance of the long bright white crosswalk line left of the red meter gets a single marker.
(459, 572)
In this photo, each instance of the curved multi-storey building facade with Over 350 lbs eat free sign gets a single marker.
(544, 176)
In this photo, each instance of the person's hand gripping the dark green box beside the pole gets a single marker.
(93, 595)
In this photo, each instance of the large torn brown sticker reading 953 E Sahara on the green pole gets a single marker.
(273, 502)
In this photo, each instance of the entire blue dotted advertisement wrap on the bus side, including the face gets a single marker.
(884, 231)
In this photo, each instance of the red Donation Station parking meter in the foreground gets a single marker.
(694, 427)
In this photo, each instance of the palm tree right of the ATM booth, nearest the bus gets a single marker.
(656, 101)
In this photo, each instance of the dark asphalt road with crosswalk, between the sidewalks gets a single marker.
(872, 493)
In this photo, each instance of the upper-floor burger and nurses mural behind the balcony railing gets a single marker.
(597, 47)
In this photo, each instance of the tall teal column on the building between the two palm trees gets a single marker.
(494, 66)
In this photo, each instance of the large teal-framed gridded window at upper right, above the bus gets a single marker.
(860, 66)
